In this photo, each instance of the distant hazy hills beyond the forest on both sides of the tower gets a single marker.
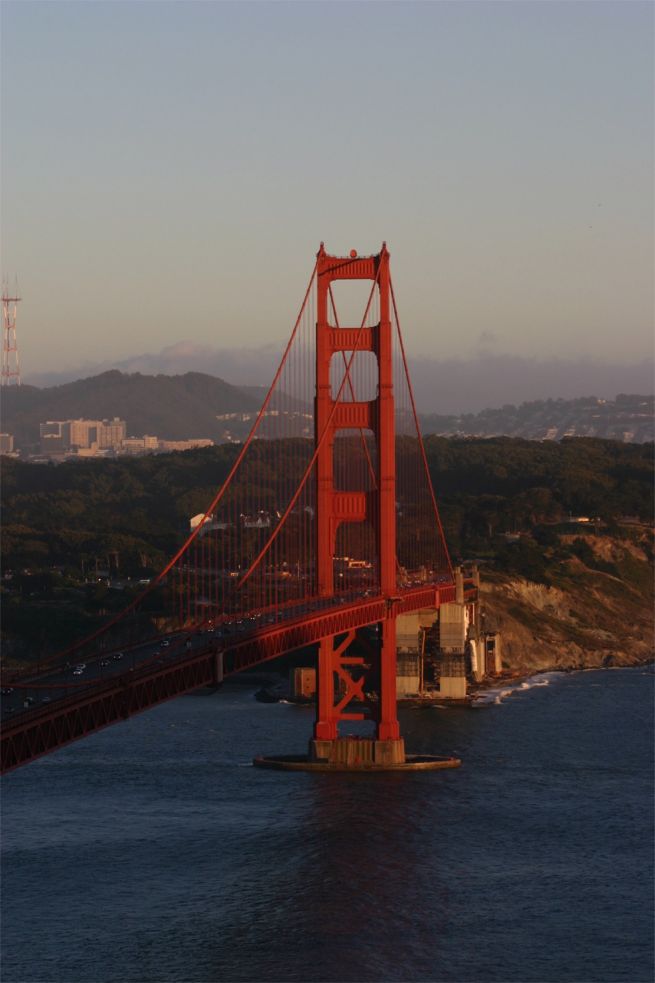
(180, 407)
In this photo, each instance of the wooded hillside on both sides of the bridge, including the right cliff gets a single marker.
(80, 535)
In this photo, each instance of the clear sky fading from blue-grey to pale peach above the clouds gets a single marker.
(169, 169)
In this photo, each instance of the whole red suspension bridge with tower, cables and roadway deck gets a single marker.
(326, 524)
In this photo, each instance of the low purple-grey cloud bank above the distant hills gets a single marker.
(441, 386)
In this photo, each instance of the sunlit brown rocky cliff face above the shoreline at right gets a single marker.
(587, 618)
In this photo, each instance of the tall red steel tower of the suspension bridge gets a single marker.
(336, 507)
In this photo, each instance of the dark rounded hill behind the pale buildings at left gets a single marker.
(171, 407)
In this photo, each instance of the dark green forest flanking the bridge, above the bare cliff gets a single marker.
(66, 515)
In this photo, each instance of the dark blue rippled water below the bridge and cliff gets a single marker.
(154, 852)
